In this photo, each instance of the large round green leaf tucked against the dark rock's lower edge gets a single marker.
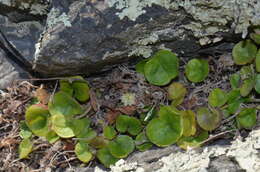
(162, 68)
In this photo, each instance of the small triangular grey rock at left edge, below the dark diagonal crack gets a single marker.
(9, 71)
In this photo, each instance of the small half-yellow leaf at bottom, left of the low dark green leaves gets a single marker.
(82, 152)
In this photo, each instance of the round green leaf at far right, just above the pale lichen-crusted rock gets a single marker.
(246, 118)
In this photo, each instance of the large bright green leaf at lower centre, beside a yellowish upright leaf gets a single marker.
(166, 129)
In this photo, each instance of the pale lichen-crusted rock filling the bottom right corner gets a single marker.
(240, 156)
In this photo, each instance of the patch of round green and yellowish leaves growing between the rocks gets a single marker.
(162, 126)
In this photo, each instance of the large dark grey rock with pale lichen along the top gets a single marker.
(86, 37)
